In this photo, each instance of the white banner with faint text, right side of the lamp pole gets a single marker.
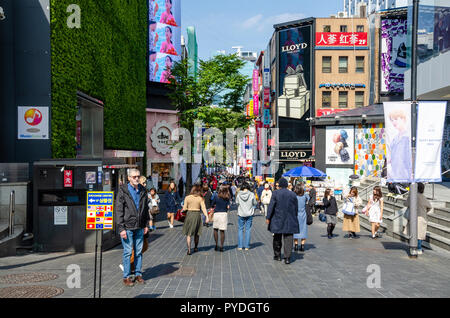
(430, 127)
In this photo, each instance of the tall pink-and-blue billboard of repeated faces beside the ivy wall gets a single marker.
(164, 38)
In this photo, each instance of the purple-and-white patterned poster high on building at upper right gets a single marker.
(393, 54)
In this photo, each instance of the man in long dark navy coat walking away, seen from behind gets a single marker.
(282, 220)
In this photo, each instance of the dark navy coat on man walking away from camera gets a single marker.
(282, 212)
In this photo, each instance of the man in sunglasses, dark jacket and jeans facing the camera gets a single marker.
(132, 217)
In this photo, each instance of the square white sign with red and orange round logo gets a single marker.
(32, 122)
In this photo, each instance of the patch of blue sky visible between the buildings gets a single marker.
(221, 25)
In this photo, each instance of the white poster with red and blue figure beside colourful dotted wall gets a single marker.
(340, 145)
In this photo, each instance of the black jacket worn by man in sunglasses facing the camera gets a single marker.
(127, 217)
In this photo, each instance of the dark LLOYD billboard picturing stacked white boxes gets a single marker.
(294, 88)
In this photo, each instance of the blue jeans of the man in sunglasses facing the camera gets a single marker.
(135, 240)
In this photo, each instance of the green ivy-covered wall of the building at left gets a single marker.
(105, 58)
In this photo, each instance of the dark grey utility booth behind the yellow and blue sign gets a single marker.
(59, 204)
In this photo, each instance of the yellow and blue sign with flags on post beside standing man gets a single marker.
(99, 210)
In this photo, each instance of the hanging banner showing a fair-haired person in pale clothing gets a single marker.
(397, 118)
